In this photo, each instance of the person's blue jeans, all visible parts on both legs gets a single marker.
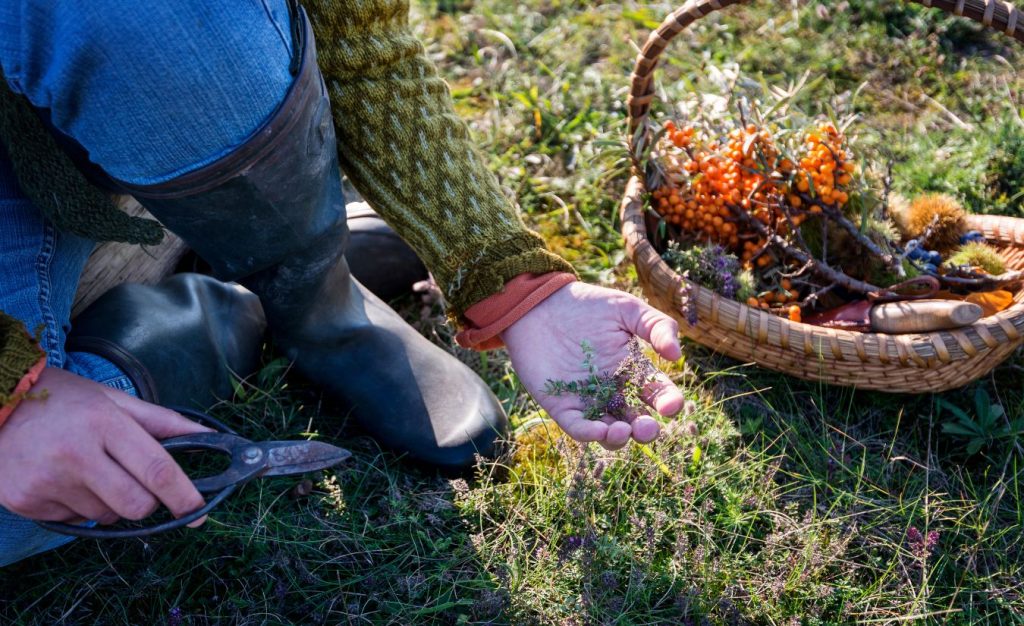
(151, 92)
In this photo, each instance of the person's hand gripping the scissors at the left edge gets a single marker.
(89, 452)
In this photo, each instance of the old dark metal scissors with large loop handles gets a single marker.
(249, 461)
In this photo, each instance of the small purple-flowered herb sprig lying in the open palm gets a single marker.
(618, 394)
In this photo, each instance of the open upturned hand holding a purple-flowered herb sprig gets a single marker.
(545, 345)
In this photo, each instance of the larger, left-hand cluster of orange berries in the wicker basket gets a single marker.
(719, 177)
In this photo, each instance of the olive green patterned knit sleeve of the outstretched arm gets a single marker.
(407, 151)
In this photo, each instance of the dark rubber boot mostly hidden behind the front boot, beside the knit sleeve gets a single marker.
(378, 258)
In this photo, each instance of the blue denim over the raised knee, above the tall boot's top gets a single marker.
(150, 90)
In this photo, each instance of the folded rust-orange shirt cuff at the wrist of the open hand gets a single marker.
(491, 317)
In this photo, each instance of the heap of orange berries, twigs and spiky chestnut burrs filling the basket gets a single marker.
(790, 207)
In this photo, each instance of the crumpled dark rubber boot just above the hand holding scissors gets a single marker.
(181, 342)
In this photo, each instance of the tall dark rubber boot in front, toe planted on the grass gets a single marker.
(272, 217)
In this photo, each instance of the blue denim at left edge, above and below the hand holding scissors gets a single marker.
(39, 273)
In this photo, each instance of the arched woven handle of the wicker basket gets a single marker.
(997, 15)
